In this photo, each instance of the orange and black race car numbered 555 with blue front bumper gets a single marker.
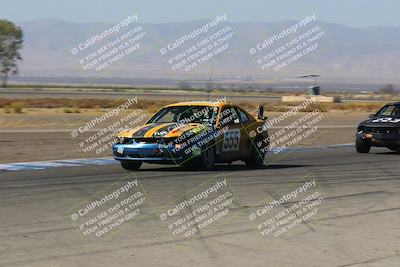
(195, 134)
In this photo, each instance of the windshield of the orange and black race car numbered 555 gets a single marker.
(185, 114)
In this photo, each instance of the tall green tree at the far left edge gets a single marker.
(10, 44)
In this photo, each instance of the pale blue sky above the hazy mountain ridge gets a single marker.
(354, 13)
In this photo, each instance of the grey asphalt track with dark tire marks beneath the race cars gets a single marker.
(327, 206)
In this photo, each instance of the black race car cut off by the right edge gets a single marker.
(381, 129)
